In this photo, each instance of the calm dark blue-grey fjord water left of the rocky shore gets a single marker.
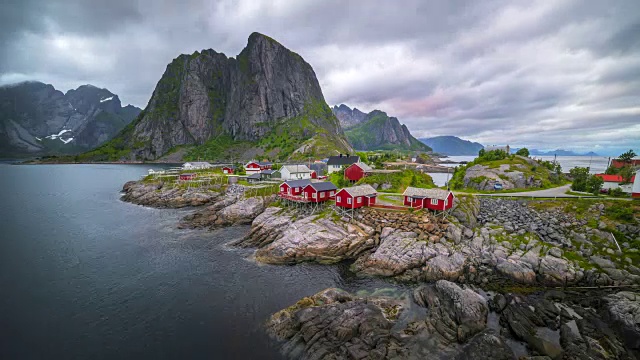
(87, 276)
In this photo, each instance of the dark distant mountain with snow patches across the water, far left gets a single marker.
(37, 119)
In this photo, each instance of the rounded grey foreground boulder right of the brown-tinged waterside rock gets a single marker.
(455, 313)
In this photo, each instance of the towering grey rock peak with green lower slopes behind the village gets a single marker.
(268, 97)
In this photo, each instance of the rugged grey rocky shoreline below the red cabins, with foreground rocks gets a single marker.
(518, 250)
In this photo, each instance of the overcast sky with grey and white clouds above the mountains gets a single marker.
(542, 74)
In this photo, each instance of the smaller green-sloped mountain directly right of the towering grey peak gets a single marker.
(376, 130)
